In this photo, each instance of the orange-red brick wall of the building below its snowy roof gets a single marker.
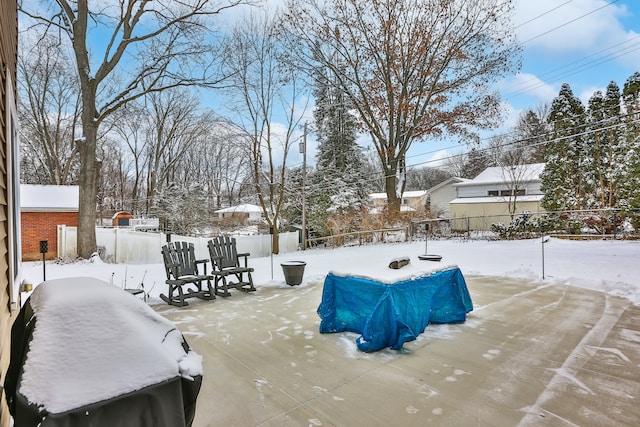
(38, 226)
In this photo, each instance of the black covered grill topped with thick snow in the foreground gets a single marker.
(85, 348)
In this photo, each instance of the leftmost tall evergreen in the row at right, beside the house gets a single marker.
(563, 181)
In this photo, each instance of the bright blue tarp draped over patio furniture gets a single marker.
(388, 315)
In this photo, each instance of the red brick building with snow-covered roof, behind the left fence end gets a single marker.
(42, 209)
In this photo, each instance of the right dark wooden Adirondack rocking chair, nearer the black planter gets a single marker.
(225, 261)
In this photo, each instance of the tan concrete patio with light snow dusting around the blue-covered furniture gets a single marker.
(531, 353)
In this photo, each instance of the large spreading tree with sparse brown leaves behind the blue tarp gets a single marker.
(412, 69)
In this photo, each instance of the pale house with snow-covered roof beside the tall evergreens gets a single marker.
(488, 197)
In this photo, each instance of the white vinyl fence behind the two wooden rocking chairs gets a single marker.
(126, 246)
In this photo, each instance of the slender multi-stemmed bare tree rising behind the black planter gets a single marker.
(264, 82)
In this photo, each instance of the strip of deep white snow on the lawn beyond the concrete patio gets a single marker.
(606, 265)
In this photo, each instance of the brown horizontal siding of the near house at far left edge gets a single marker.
(8, 59)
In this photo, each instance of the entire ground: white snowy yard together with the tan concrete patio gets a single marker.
(563, 350)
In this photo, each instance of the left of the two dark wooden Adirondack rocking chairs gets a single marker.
(181, 266)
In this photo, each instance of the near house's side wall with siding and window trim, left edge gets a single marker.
(10, 267)
